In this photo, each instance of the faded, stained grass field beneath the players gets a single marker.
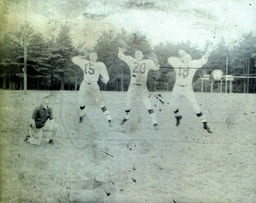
(91, 162)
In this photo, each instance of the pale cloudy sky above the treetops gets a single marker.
(161, 21)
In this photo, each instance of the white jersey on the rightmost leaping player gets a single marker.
(185, 72)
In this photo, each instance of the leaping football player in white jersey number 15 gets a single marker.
(93, 70)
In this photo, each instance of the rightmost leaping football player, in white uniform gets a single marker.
(185, 69)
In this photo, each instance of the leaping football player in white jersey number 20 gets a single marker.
(139, 68)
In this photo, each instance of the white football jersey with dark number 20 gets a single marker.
(139, 69)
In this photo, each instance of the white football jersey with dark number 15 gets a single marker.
(92, 71)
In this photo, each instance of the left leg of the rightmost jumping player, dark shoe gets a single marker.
(176, 100)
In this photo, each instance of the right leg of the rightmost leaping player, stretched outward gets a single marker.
(192, 99)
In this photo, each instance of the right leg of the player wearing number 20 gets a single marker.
(146, 100)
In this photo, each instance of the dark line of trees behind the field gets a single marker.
(50, 67)
